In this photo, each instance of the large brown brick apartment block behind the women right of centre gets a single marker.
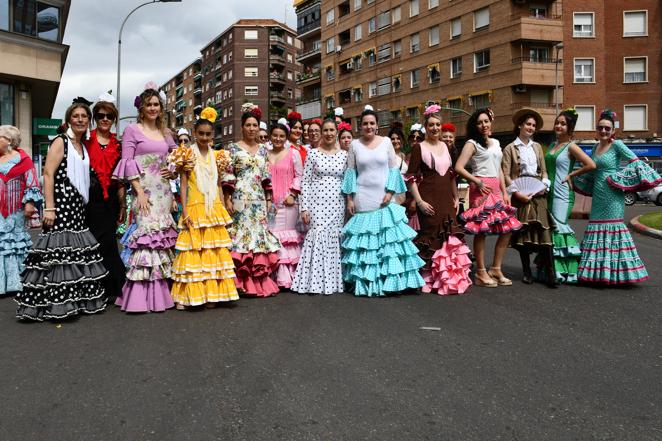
(400, 55)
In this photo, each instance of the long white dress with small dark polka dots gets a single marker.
(319, 270)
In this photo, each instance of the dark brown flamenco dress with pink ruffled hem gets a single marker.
(439, 240)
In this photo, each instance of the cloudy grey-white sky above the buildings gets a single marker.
(158, 41)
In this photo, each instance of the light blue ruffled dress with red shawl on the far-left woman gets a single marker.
(18, 186)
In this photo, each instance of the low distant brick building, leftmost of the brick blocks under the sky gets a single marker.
(184, 96)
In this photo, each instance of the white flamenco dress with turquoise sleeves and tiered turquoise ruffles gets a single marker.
(379, 257)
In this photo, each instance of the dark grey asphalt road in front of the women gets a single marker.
(518, 363)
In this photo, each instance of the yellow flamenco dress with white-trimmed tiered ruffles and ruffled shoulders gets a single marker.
(203, 271)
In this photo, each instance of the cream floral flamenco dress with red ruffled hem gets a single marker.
(254, 248)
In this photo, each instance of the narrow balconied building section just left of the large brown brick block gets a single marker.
(309, 80)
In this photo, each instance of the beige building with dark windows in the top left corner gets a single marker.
(33, 58)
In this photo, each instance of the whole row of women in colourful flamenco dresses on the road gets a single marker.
(332, 215)
